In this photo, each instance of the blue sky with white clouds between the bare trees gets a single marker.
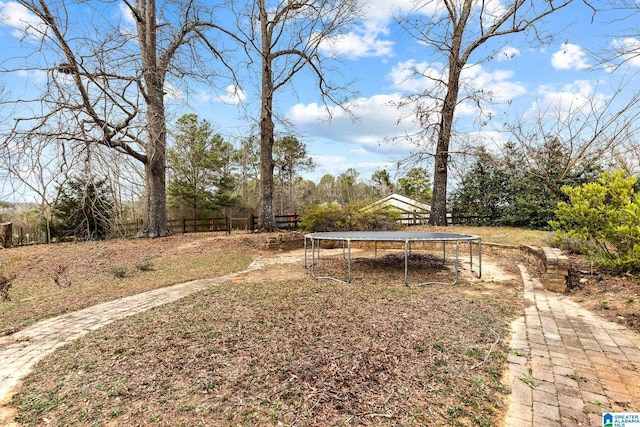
(523, 78)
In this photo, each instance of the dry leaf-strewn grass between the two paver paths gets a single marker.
(280, 348)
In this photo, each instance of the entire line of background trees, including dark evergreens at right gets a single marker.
(209, 177)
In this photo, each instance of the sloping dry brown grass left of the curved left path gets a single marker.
(49, 280)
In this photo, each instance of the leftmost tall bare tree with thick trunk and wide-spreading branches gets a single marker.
(107, 82)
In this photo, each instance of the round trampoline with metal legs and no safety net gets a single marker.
(406, 237)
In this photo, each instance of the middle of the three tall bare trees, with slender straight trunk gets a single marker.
(287, 36)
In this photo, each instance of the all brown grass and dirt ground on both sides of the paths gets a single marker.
(275, 346)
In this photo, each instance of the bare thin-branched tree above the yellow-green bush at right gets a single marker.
(590, 132)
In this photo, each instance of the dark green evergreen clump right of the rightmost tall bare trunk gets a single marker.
(518, 189)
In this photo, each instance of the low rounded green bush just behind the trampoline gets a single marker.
(333, 217)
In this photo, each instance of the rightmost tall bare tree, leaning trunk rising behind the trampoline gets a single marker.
(454, 30)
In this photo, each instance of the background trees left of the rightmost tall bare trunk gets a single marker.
(208, 177)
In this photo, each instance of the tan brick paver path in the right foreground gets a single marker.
(567, 365)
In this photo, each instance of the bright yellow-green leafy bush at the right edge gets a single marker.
(605, 215)
